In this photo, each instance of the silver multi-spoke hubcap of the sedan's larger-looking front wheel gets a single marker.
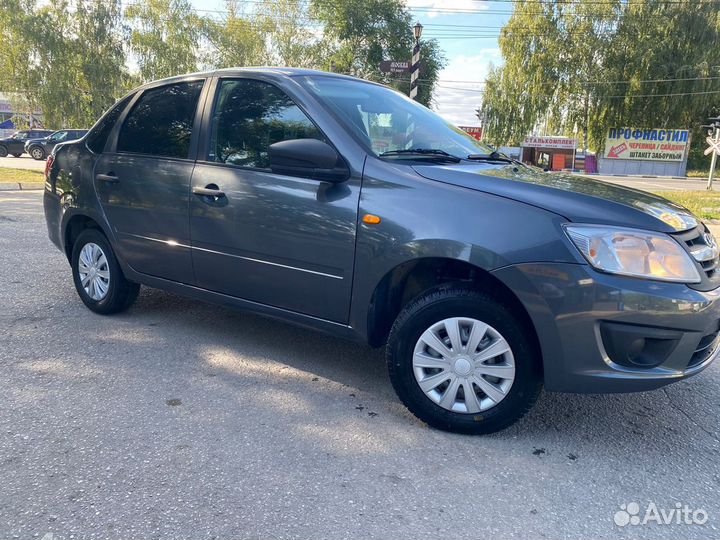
(464, 365)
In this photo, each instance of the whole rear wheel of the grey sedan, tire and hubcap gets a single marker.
(97, 275)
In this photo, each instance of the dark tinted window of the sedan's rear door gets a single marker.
(161, 122)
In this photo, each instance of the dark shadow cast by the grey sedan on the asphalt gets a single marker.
(219, 331)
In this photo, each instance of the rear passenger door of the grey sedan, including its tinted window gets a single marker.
(143, 179)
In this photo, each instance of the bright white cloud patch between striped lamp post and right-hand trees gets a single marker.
(457, 94)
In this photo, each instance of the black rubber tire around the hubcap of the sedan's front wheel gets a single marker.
(449, 301)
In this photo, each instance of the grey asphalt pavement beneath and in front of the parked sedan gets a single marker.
(179, 419)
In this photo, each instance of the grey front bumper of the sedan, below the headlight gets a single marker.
(600, 333)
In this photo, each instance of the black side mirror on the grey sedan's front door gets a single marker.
(308, 158)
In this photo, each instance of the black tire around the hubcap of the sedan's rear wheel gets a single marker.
(121, 293)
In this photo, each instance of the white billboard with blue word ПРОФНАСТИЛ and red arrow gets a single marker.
(647, 144)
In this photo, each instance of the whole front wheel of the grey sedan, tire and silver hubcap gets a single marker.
(461, 361)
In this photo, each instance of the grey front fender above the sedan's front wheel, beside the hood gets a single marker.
(423, 218)
